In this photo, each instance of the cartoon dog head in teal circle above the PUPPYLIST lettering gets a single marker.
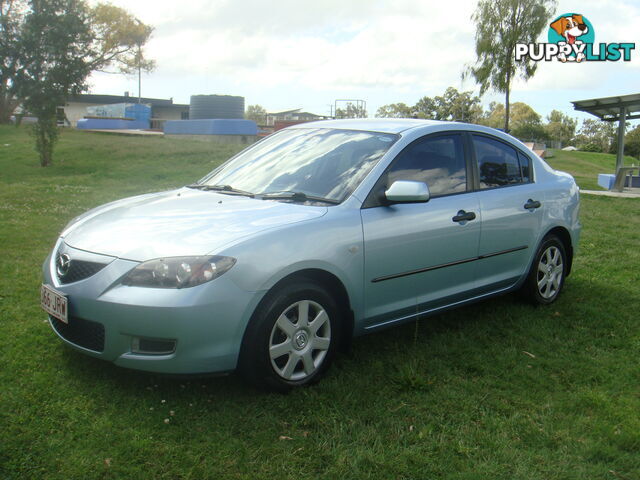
(571, 31)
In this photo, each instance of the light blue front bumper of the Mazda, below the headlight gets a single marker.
(206, 323)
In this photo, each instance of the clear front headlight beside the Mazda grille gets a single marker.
(178, 272)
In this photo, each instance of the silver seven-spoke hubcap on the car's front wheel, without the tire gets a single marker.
(300, 340)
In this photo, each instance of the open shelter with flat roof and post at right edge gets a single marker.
(613, 109)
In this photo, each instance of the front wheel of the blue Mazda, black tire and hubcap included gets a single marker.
(282, 347)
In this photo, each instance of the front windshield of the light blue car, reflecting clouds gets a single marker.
(317, 162)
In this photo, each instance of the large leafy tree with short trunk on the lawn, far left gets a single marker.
(56, 46)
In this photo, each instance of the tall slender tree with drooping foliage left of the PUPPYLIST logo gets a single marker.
(500, 25)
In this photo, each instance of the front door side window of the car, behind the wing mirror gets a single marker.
(438, 161)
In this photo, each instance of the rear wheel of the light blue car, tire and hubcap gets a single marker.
(547, 273)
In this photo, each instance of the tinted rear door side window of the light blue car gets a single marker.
(497, 163)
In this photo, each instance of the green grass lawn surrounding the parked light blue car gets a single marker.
(496, 390)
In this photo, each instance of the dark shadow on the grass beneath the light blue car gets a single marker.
(469, 340)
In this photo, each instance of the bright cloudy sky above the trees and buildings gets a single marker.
(290, 54)
